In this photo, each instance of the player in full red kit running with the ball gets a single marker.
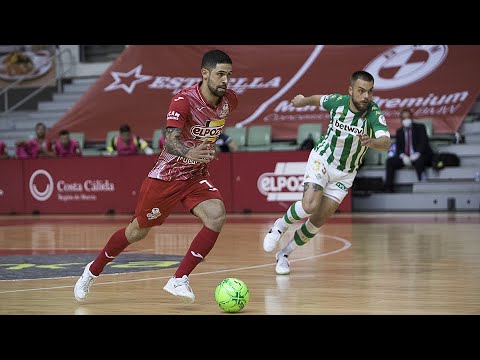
(195, 120)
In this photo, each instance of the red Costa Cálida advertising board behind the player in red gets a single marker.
(89, 184)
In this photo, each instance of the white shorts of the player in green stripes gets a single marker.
(335, 183)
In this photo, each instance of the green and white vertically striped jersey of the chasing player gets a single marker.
(340, 143)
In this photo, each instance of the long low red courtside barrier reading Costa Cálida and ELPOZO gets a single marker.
(248, 181)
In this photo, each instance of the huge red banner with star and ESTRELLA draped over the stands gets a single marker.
(438, 82)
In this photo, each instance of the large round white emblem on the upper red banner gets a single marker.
(405, 64)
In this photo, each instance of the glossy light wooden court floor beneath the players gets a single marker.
(363, 263)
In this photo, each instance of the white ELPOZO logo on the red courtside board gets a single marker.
(284, 184)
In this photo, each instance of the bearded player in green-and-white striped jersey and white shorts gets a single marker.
(356, 124)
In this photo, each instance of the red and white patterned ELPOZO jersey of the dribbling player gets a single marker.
(190, 112)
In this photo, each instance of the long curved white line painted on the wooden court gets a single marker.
(346, 244)
